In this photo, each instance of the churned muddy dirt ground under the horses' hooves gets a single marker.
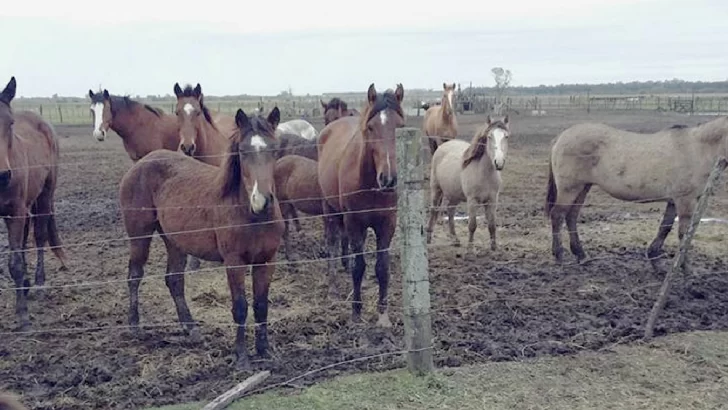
(495, 306)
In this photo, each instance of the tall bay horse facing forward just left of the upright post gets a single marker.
(357, 172)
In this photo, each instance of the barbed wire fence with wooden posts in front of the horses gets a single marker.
(409, 242)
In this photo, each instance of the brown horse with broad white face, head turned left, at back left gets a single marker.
(142, 128)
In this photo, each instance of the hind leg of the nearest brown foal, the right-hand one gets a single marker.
(175, 280)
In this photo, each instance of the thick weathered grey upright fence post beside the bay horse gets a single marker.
(415, 275)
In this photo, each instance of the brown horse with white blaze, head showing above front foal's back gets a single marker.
(199, 135)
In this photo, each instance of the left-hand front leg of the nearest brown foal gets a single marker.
(236, 283)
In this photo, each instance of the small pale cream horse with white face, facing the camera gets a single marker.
(470, 172)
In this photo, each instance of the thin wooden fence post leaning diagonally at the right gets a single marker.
(679, 259)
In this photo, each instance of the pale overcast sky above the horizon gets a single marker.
(314, 46)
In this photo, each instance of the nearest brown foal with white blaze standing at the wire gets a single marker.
(231, 216)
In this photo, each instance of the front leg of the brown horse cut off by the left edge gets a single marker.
(16, 226)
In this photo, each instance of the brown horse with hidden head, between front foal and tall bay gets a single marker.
(298, 189)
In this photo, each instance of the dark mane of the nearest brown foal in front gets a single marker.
(232, 174)
